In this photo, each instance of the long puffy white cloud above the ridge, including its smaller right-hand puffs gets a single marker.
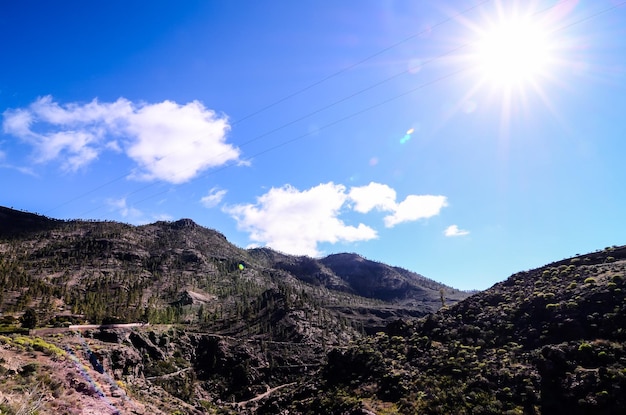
(295, 221)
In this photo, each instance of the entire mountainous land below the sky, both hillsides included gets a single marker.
(235, 331)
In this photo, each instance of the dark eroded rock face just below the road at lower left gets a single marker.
(188, 365)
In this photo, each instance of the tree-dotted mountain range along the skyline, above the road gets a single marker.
(173, 272)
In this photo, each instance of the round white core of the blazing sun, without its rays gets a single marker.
(513, 52)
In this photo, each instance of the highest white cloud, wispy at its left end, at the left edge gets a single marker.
(168, 141)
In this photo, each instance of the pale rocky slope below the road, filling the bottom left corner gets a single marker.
(158, 370)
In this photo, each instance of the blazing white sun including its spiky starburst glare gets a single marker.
(515, 55)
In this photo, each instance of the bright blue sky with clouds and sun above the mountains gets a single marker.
(463, 140)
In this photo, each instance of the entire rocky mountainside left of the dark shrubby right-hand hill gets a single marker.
(227, 327)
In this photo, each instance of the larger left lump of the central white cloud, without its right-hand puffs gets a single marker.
(294, 221)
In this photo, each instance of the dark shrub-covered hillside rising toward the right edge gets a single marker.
(546, 341)
